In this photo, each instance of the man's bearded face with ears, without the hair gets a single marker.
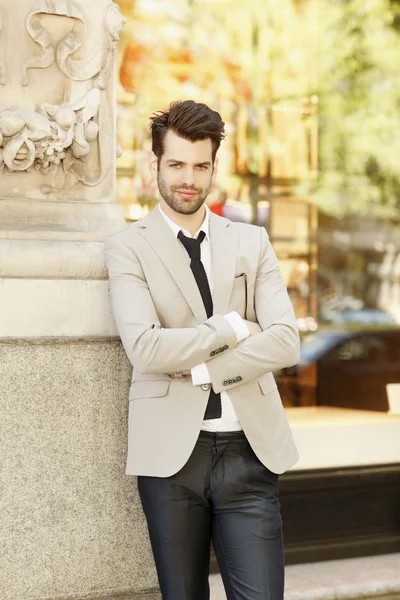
(184, 173)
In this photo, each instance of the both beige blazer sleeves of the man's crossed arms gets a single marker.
(153, 349)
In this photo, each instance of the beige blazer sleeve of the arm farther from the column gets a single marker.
(277, 345)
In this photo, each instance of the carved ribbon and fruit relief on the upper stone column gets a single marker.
(61, 141)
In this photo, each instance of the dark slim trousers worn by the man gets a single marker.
(223, 493)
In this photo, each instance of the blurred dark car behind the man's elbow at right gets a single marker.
(346, 368)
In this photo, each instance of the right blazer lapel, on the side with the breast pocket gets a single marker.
(224, 253)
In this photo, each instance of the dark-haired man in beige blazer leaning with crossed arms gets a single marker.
(204, 318)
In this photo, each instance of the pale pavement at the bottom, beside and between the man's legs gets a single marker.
(369, 578)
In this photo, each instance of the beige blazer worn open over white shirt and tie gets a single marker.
(164, 328)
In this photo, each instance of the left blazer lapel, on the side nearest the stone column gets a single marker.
(163, 241)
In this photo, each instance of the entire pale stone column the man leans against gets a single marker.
(71, 526)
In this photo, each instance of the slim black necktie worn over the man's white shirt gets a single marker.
(213, 410)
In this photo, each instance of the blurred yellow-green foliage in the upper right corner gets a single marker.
(359, 57)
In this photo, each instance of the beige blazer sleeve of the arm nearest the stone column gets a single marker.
(149, 347)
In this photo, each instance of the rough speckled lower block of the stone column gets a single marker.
(71, 525)
